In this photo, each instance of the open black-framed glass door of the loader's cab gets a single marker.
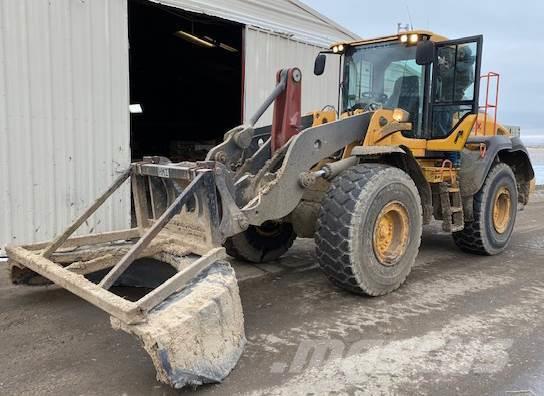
(455, 84)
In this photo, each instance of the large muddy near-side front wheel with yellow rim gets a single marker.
(361, 204)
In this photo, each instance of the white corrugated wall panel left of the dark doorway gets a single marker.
(64, 122)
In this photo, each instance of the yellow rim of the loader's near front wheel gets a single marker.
(391, 233)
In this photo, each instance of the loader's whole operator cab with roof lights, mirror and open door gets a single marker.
(434, 80)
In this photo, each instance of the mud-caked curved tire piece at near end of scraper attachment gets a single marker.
(195, 336)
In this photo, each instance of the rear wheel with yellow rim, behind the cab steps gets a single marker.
(495, 208)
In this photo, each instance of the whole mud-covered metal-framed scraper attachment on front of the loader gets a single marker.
(178, 223)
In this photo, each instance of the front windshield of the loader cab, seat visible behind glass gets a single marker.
(384, 75)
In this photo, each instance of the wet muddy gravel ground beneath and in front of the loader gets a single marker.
(461, 324)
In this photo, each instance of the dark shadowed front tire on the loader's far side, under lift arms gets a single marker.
(261, 244)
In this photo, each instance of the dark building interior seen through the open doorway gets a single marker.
(186, 73)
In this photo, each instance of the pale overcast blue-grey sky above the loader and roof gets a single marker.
(513, 40)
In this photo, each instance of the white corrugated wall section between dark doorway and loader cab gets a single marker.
(266, 53)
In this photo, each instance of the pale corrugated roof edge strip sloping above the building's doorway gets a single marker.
(280, 16)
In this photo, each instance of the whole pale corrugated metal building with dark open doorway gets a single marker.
(70, 68)
